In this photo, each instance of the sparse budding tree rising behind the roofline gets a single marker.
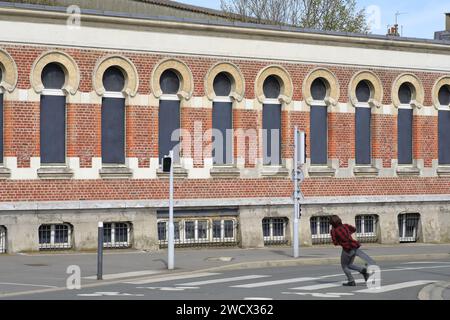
(329, 15)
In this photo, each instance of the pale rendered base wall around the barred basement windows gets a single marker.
(22, 226)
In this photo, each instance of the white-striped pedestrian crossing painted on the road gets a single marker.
(316, 286)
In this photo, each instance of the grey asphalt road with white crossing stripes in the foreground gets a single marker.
(399, 281)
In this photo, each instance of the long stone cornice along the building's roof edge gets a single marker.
(117, 21)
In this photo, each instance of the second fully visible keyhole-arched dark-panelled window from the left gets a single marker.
(113, 117)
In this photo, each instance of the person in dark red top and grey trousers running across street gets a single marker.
(341, 234)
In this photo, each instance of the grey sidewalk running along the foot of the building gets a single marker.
(43, 270)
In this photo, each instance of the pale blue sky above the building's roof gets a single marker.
(419, 18)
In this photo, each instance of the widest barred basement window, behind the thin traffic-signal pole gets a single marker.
(200, 233)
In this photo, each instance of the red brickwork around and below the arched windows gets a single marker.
(21, 121)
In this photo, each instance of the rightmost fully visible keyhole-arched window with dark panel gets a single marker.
(405, 124)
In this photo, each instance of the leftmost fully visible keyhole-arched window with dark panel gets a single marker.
(53, 116)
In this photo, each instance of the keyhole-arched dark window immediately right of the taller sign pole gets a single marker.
(319, 123)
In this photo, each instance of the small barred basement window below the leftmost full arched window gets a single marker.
(55, 237)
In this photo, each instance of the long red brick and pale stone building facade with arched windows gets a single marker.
(246, 201)
